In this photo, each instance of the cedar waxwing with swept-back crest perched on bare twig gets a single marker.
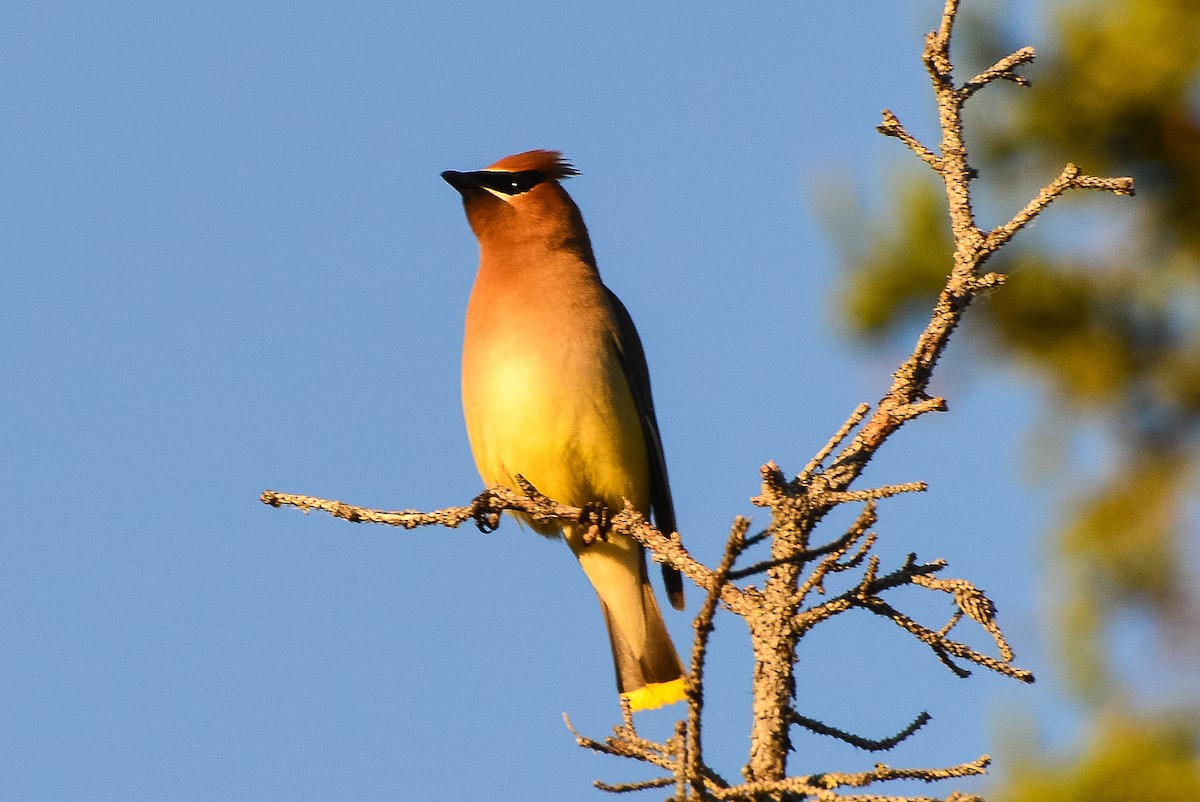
(555, 388)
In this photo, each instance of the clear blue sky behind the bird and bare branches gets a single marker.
(230, 265)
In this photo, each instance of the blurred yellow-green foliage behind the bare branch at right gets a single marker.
(1105, 312)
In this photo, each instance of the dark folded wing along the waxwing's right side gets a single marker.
(633, 360)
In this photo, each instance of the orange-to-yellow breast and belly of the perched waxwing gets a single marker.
(545, 397)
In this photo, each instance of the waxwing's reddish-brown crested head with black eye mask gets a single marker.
(519, 202)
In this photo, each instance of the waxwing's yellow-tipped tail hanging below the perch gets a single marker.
(649, 669)
